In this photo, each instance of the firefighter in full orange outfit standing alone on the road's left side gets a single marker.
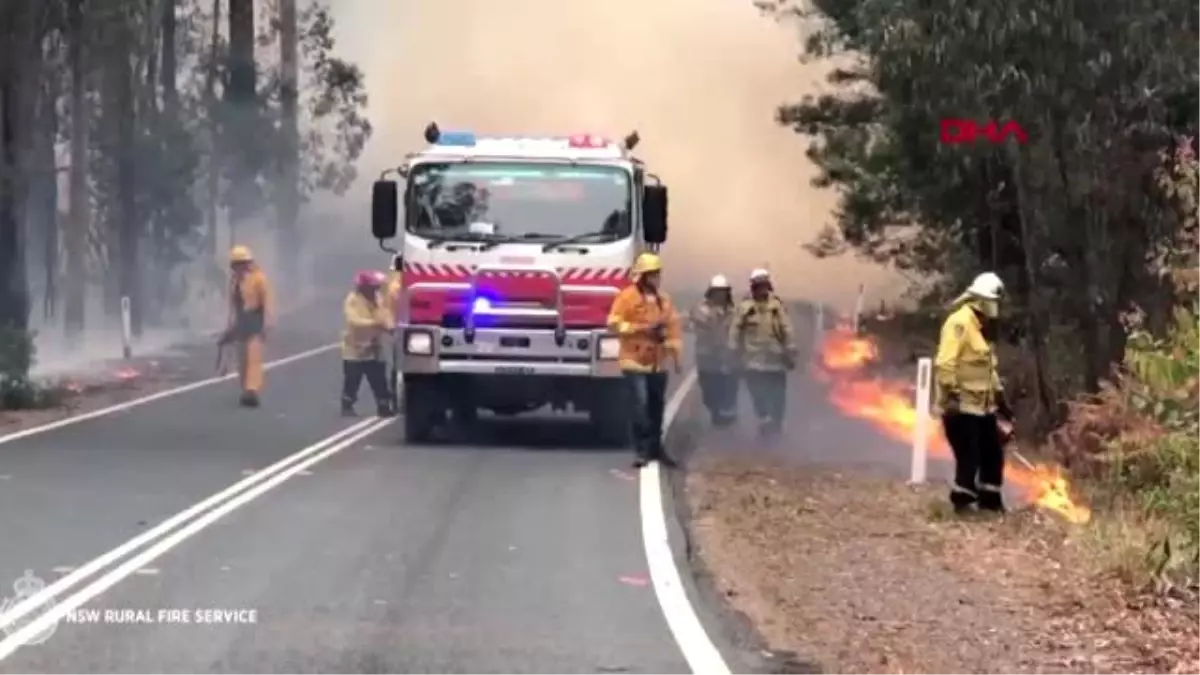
(251, 314)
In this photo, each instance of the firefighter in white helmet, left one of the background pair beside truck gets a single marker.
(711, 322)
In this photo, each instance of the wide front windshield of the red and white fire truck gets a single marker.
(502, 201)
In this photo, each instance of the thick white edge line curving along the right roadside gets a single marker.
(698, 648)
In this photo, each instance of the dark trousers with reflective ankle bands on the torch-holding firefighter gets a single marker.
(979, 461)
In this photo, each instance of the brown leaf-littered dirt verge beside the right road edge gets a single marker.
(862, 575)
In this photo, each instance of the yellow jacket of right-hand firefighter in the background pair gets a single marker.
(761, 332)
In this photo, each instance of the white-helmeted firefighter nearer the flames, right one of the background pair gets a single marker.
(763, 338)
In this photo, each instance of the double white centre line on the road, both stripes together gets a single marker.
(167, 536)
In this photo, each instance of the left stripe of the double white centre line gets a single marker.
(91, 569)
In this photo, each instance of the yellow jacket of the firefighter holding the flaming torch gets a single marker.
(967, 365)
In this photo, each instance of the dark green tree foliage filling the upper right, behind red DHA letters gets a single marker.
(1071, 220)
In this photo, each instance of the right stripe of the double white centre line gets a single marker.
(73, 602)
